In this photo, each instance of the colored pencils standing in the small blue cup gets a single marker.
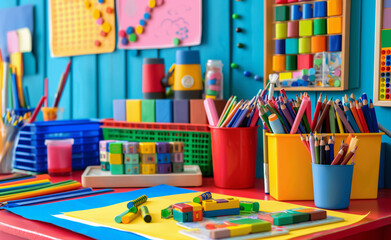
(322, 149)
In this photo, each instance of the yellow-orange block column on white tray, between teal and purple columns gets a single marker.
(147, 158)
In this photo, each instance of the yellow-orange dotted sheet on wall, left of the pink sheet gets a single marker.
(81, 27)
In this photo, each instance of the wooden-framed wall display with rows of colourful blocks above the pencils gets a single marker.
(307, 44)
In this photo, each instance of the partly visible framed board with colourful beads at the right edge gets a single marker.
(382, 69)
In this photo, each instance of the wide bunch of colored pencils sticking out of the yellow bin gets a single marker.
(294, 116)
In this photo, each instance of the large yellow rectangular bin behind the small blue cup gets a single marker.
(290, 170)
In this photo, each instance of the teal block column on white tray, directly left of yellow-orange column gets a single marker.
(131, 157)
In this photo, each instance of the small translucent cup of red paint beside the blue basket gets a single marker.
(59, 156)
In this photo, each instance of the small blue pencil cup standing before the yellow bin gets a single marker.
(332, 185)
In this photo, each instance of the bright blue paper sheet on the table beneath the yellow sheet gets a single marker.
(45, 212)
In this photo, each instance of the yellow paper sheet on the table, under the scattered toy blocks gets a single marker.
(168, 229)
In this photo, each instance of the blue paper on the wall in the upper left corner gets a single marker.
(13, 19)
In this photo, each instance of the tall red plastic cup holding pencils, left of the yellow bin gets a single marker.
(234, 154)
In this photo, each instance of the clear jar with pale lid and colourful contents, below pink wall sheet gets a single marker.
(214, 79)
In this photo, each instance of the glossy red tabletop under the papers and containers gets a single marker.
(376, 225)
